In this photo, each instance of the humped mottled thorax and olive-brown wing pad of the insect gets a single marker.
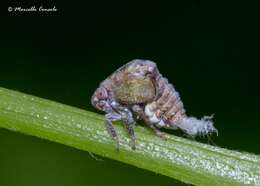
(131, 85)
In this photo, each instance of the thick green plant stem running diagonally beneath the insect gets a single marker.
(179, 158)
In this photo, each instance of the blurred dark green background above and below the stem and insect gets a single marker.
(208, 50)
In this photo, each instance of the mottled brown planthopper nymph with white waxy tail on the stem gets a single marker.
(137, 91)
